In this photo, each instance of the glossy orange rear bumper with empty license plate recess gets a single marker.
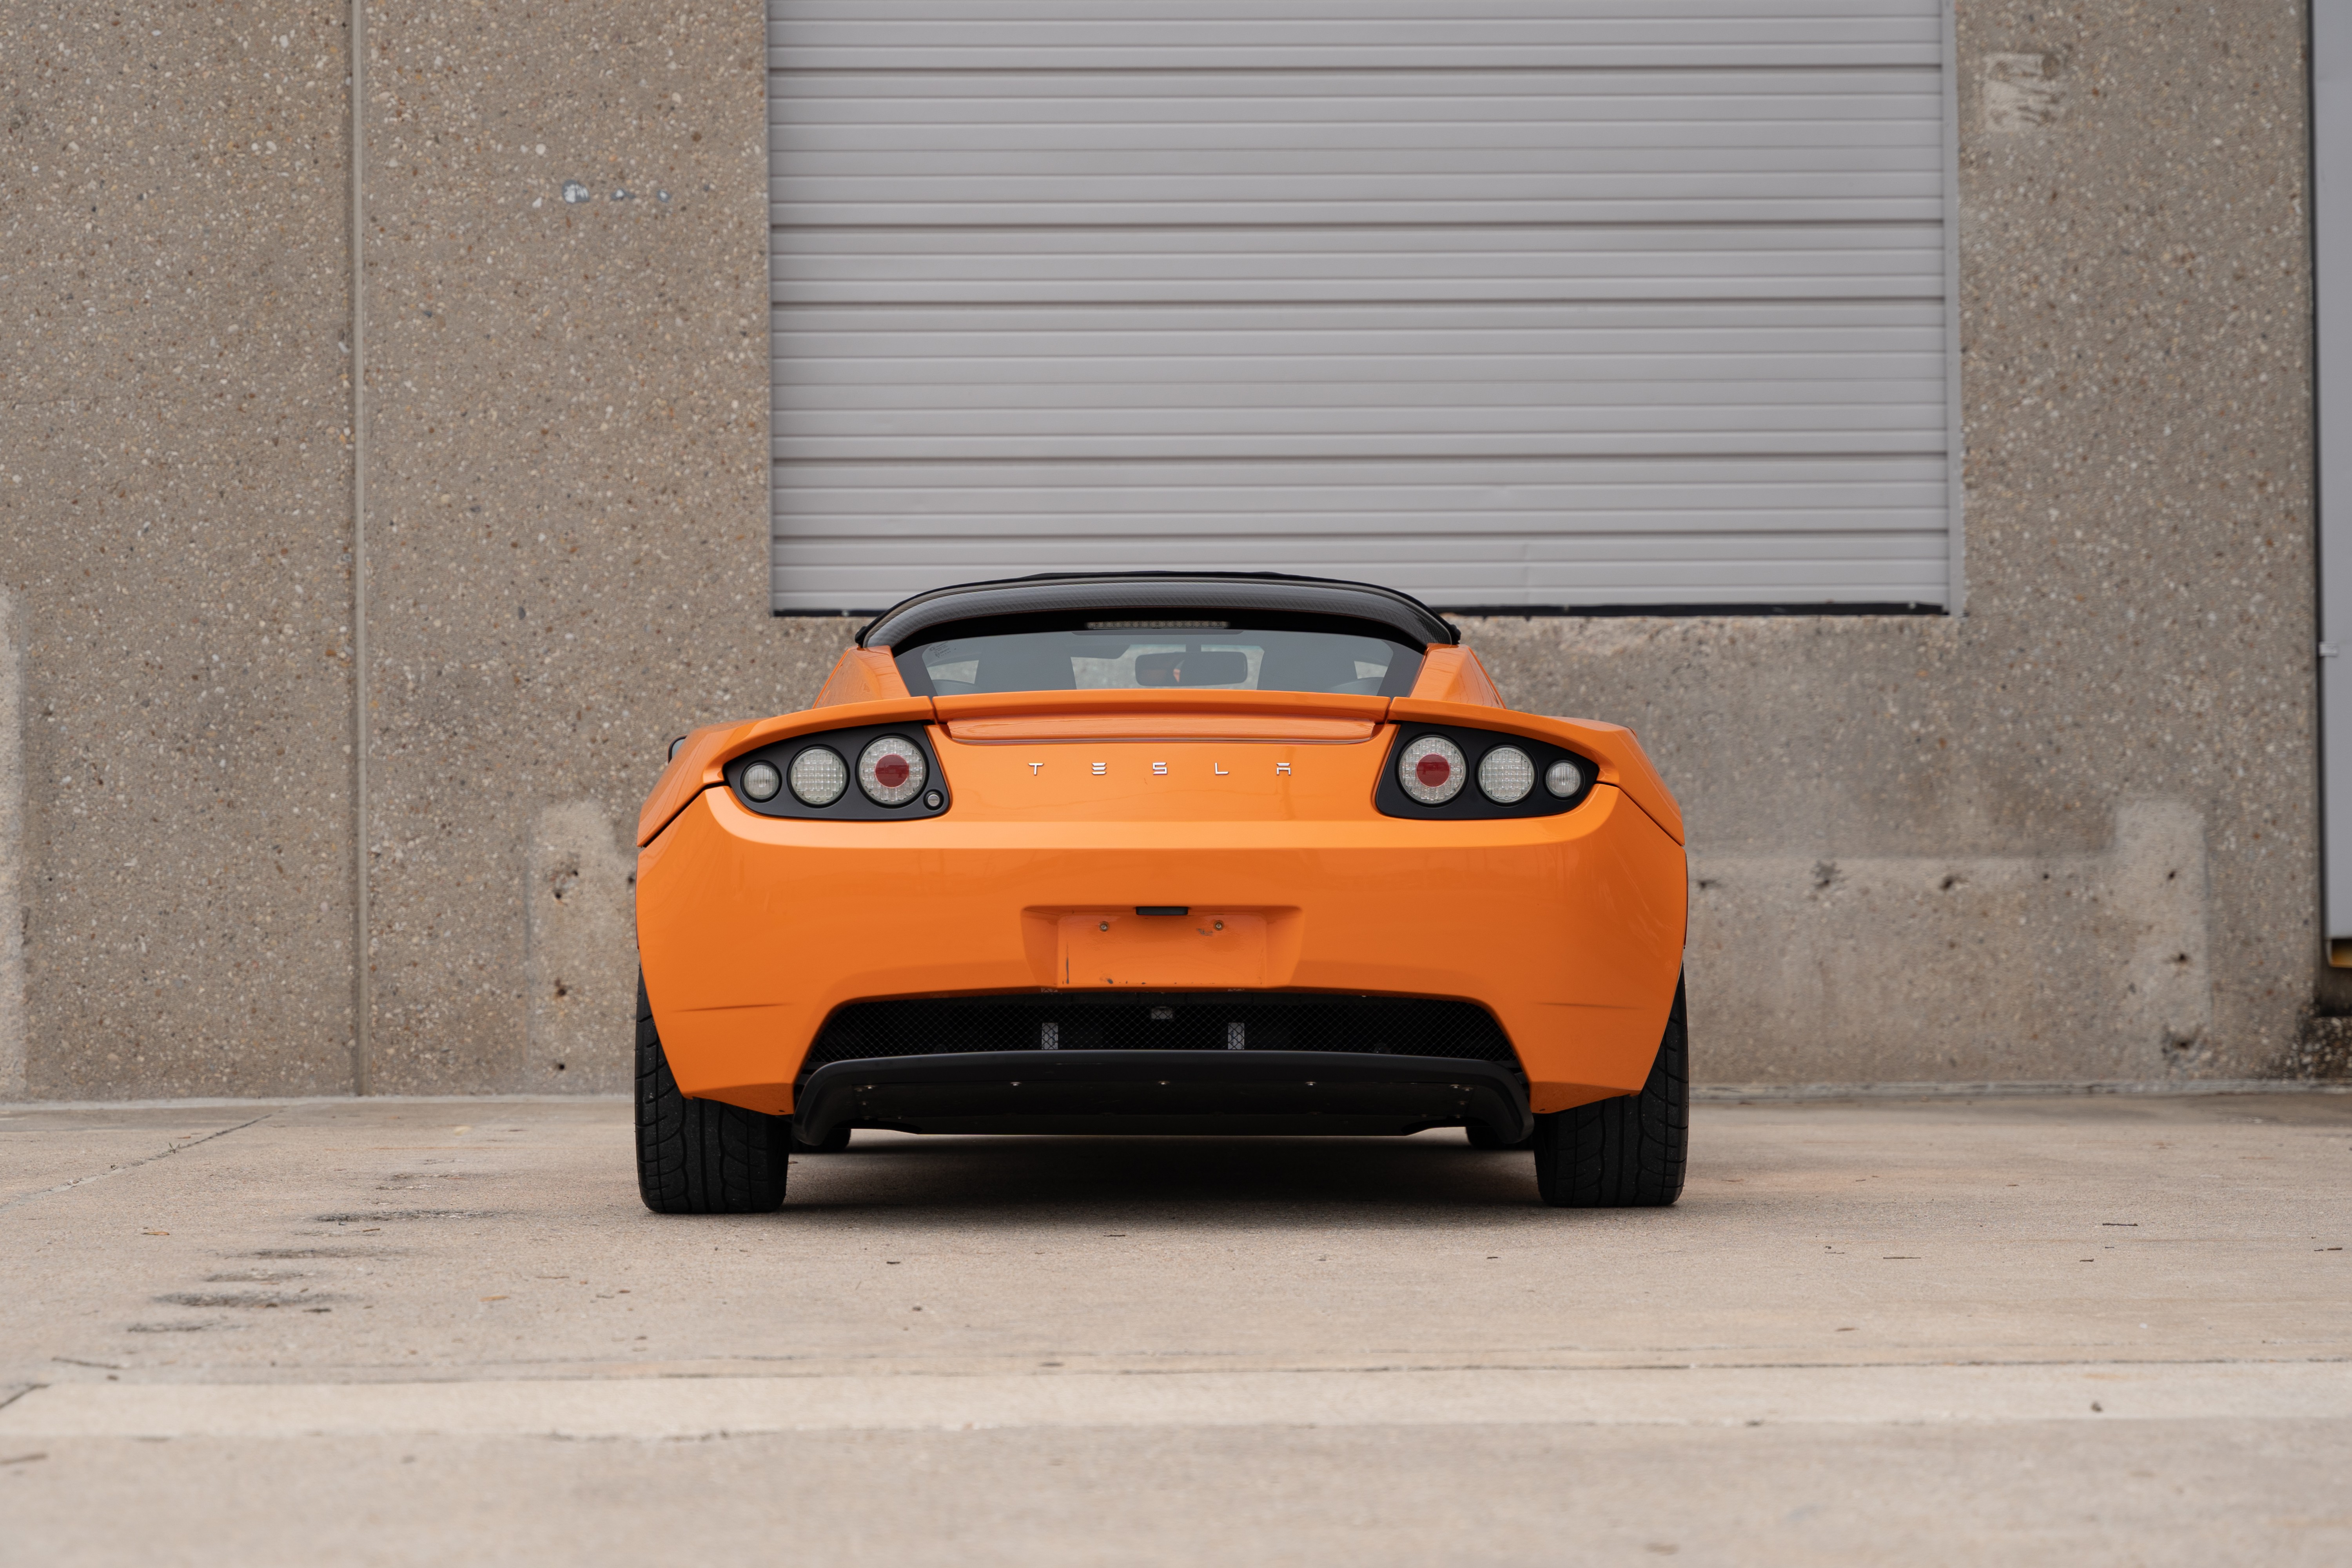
(1568, 930)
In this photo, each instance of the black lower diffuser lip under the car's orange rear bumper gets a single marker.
(1161, 1092)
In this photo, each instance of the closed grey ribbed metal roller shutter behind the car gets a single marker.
(1551, 304)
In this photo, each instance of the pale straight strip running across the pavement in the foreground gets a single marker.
(930, 1402)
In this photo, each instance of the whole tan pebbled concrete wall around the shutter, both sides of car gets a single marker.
(2066, 836)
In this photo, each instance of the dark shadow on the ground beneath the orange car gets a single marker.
(1071, 1177)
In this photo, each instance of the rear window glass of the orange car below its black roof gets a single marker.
(1151, 657)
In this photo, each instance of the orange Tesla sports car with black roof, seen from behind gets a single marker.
(1161, 855)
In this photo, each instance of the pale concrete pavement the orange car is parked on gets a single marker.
(2085, 1329)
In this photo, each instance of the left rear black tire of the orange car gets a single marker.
(700, 1155)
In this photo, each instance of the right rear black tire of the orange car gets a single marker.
(1624, 1153)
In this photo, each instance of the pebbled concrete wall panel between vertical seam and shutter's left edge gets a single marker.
(568, 497)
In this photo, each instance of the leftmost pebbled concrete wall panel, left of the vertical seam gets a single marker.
(175, 549)
